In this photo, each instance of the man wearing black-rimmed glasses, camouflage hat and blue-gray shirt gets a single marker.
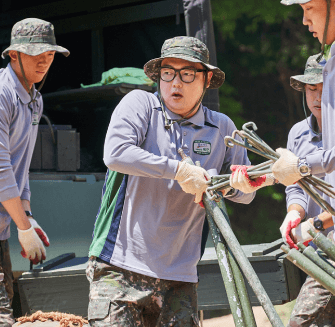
(148, 235)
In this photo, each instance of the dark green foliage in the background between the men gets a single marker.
(260, 44)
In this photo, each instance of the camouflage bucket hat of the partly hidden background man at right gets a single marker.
(312, 75)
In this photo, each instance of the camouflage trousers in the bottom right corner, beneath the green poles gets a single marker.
(315, 305)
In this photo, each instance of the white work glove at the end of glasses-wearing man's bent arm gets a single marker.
(192, 179)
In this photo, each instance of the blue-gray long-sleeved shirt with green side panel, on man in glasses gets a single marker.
(149, 225)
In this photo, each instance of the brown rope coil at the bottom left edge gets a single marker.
(65, 319)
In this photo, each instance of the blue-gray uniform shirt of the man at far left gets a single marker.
(18, 132)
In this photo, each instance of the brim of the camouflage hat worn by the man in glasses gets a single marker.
(151, 69)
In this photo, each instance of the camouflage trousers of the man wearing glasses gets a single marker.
(119, 297)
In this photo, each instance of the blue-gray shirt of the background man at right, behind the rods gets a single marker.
(302, 140)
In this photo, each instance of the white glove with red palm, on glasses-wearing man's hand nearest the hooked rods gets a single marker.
(240, 180)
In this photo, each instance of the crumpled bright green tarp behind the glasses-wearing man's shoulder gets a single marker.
(129, 75)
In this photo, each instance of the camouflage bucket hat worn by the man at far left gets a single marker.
(33, 36)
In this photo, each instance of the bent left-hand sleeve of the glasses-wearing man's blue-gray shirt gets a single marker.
(126, 133)
